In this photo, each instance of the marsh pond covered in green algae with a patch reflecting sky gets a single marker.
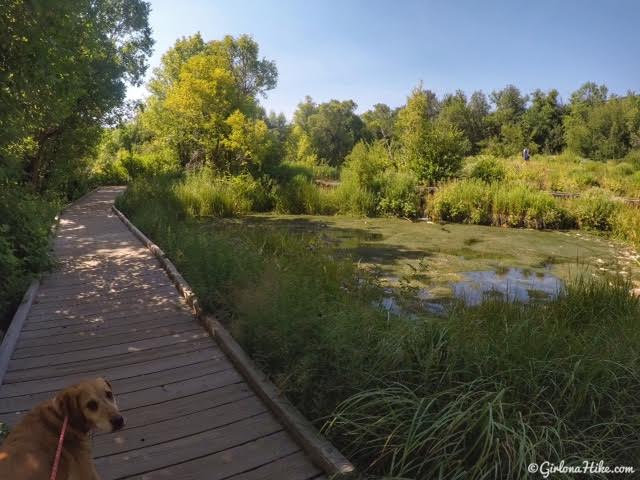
(432, 264)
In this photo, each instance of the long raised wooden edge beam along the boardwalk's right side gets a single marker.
(316, 446)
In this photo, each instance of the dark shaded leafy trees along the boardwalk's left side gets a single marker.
(64, 67)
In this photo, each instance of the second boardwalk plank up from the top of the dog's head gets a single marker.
(130, 358)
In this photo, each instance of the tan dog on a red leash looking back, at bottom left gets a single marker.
(29, 450)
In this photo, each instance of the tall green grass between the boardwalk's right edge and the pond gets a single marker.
(478, 394)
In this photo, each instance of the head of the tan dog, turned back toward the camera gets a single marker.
(90, 404)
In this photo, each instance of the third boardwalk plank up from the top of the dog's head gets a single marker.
(97, 353)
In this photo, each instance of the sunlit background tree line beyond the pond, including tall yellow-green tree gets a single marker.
(204, 109)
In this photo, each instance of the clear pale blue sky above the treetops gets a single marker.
(376, 51)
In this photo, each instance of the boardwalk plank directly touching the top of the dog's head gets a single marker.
(116, 373)
